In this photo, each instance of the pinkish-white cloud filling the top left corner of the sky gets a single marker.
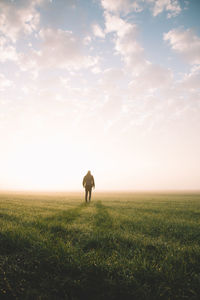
(18, 17)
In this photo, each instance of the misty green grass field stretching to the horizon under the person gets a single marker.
(121, 246)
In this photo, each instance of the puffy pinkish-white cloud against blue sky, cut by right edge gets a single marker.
(186, 43)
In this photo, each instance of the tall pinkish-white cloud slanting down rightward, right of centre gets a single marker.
(146, 77)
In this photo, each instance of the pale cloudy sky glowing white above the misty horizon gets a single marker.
(111, 86)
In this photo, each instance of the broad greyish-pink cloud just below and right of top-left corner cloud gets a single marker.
(59, 49)
